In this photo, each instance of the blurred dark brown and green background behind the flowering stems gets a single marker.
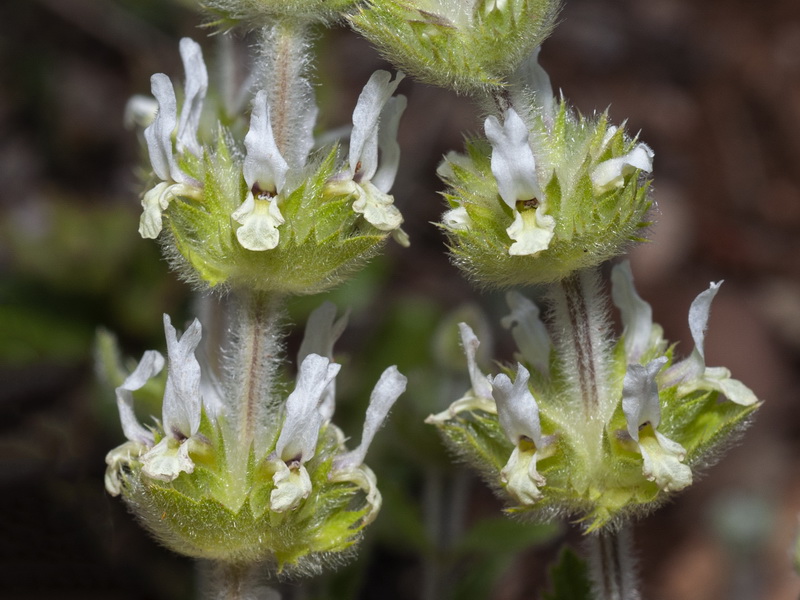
(714, 88)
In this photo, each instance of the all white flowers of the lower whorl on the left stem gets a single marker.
(307, 411)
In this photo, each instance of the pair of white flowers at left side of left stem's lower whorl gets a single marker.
(181, 411)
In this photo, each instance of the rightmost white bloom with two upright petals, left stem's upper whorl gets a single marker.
(375, 121)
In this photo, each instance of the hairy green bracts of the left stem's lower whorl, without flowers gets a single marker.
(212, 513)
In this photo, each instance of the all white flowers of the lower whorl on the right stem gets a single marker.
(646, 376)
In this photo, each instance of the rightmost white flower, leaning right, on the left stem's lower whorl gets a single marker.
(350, 465)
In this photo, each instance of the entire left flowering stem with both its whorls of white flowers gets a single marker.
(237, 472)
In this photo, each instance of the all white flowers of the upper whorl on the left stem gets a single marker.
(269, 171)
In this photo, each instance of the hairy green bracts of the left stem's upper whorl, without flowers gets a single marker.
(322, 241)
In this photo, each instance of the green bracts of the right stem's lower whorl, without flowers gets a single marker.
(600, 481)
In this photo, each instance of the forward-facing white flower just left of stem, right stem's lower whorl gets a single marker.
(518, 414)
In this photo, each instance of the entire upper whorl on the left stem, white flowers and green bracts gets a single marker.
(266, 214)
